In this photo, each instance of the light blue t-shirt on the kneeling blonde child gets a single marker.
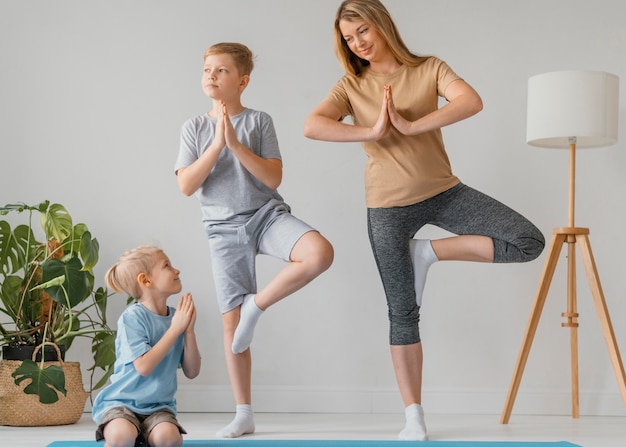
(138, 330)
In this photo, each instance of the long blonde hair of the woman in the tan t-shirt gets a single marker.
(375, 14)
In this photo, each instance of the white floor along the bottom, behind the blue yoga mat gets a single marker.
(586, 432)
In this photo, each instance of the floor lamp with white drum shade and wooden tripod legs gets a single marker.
(570, 109)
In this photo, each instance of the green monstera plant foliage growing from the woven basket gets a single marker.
(48, 295)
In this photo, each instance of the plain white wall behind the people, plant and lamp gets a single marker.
(92, 96)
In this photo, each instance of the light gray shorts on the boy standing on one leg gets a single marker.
(272, 231)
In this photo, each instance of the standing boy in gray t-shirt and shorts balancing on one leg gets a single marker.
(230, 159)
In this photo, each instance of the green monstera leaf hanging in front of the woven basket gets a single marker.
(45, 382)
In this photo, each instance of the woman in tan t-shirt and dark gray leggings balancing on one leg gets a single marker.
(392, 96)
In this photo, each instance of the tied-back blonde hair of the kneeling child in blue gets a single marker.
(122, 277)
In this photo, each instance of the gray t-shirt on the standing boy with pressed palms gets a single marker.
(230, 193)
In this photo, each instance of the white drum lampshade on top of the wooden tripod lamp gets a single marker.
(567, 104)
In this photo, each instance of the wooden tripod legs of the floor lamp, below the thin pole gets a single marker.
(571, 236)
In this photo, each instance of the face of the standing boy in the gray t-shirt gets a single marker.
(221, 79)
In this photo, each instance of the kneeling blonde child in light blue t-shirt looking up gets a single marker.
(152, 340)
